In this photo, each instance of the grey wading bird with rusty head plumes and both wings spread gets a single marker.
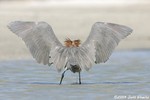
(75, 56)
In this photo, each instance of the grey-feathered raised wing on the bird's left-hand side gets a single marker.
(39, 38)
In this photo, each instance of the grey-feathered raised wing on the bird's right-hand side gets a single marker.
(103, 39)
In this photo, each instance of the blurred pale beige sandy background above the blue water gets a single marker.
(73, 19)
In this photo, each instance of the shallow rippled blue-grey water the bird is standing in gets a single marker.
(126, 75)
